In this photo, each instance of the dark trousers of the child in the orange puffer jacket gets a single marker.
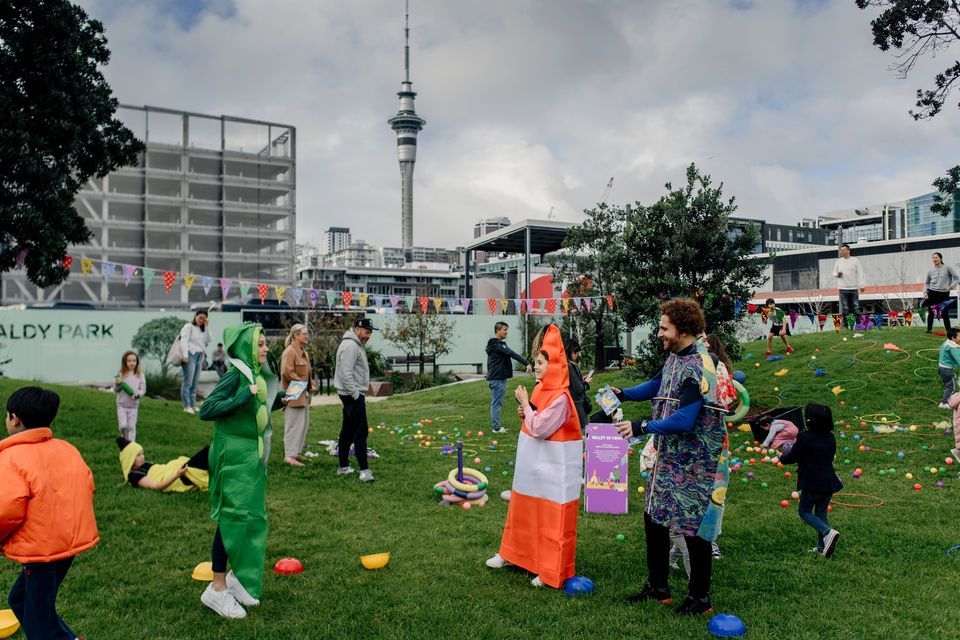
(33, 599)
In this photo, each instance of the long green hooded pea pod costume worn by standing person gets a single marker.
(238, 455)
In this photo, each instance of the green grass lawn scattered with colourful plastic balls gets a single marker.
(890, 578)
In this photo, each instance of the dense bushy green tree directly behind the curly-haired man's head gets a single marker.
(682, 246)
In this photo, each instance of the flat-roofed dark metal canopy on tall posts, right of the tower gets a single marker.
(527, 237)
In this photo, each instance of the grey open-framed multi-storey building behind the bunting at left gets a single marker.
(210, 196)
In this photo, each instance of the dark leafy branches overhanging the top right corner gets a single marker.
(917, 29)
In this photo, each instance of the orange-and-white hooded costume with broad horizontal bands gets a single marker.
(540, 534)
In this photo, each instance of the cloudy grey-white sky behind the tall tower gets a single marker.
(533, 104)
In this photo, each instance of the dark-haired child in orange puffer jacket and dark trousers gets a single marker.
(46, 510)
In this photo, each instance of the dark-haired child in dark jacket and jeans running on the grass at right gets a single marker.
(817, 481)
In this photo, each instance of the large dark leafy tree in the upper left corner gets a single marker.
(57, 131)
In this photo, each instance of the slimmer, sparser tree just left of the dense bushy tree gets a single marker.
(591, 266)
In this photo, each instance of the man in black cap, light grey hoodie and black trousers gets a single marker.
(351, 379)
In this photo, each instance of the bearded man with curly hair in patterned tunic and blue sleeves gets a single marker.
(687, 485)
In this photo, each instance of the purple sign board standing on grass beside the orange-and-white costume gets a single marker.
(607, 462)
